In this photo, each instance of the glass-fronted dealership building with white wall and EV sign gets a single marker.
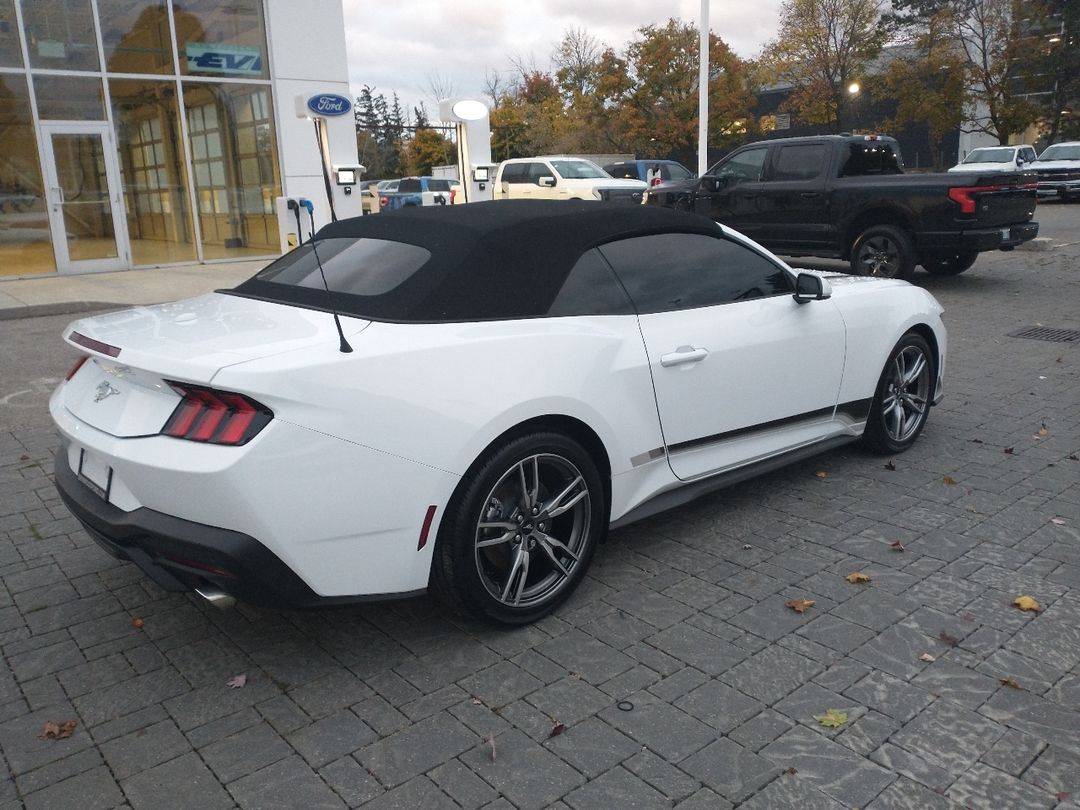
(141, 133)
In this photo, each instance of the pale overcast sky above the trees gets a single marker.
(402, 45)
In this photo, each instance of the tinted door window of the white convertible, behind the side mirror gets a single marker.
(677, 272)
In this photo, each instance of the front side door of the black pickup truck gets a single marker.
(730, 193)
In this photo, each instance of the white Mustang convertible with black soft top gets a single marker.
(507, 382)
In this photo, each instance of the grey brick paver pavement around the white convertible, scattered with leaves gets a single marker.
(680, 676)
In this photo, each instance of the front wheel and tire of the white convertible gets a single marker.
(902, 399)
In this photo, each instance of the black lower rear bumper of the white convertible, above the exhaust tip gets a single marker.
(182, 556)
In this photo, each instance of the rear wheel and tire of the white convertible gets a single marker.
(525, 562)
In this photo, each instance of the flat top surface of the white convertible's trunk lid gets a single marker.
(194, 340)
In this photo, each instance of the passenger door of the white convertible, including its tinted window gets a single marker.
(741, 371)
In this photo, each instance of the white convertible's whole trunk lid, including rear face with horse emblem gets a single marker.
(124, 389)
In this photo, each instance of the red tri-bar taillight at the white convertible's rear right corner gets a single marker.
(215, 417)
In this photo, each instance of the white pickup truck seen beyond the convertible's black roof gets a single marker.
(560, 178)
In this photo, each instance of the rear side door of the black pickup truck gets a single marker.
(793, 204)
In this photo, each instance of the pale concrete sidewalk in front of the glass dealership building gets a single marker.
(57, 295)
